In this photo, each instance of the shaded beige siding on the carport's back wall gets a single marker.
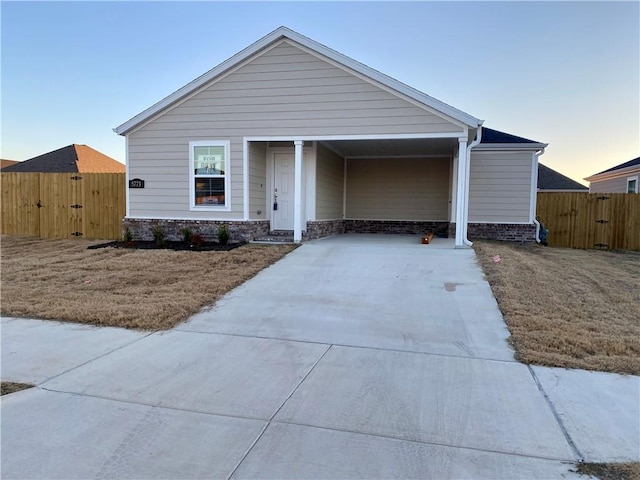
(398, 189)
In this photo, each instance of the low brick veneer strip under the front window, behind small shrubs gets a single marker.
(142, 228)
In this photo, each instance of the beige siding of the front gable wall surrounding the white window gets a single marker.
(281, 92)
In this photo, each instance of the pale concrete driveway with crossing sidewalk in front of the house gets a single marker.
(354, 357)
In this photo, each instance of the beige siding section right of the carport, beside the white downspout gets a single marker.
(500, 187)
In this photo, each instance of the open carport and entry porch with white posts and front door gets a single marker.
(397, 184)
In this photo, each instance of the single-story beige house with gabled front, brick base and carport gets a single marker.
(293, 136)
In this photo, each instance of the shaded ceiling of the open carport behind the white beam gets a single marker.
(393, 147)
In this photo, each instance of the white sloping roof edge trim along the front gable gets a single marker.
(284, 33)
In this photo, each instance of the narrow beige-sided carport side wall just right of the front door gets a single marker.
(329, 184)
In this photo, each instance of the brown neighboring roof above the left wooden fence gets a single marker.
(69, 159)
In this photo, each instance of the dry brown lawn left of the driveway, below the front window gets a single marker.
(141, 289)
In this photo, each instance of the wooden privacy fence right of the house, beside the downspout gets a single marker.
(591, 220)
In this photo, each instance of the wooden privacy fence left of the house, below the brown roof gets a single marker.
(63, 205)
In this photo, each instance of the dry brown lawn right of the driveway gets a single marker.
(568, 308)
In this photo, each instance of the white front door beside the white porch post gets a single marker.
(283, 190)
